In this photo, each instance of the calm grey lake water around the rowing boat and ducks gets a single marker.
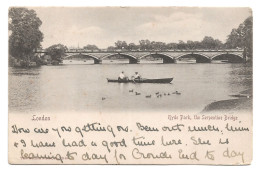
(82, 87)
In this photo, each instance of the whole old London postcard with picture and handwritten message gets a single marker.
(130, 85)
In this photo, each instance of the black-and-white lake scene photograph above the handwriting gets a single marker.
(130, 58)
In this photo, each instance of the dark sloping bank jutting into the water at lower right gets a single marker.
(243, 102)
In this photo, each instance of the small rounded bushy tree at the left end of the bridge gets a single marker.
(56, 52)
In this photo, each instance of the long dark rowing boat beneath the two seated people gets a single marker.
(143, 80)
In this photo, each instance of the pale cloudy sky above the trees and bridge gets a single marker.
(103, 26)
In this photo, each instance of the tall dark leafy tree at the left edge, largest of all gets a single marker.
(25, 36)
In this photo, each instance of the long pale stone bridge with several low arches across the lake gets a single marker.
(201, 56)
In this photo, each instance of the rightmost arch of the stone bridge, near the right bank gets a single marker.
(231, 57)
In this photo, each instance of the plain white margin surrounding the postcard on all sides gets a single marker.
(204, 3)
